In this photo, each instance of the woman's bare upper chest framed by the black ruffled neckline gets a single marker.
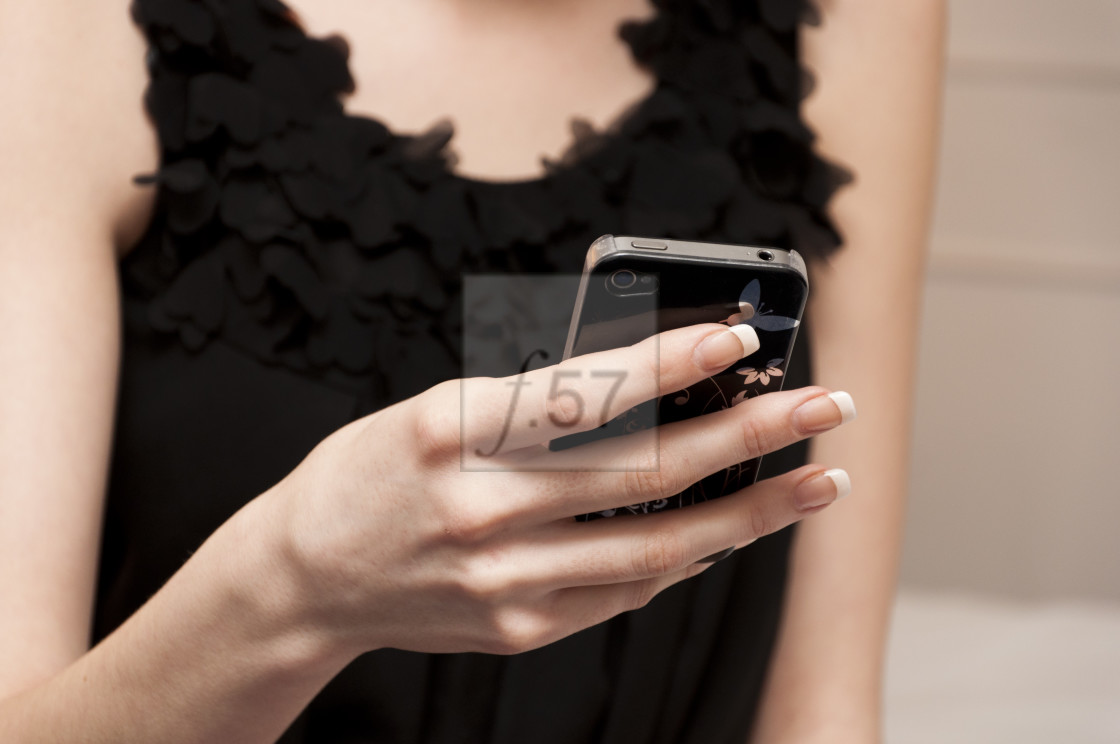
(510, 75)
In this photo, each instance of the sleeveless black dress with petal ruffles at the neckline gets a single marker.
(303, 269)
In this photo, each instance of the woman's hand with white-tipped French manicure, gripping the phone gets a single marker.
(425, 528)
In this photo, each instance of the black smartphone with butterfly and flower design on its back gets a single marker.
(634, 287)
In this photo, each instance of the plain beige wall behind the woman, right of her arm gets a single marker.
(1016, 480)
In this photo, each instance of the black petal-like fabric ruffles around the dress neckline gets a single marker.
(320, 240)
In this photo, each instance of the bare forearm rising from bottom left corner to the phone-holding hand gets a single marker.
(225, 653)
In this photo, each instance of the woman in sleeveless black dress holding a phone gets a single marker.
(267, 315)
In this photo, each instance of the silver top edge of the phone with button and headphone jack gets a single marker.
(619, 246)
